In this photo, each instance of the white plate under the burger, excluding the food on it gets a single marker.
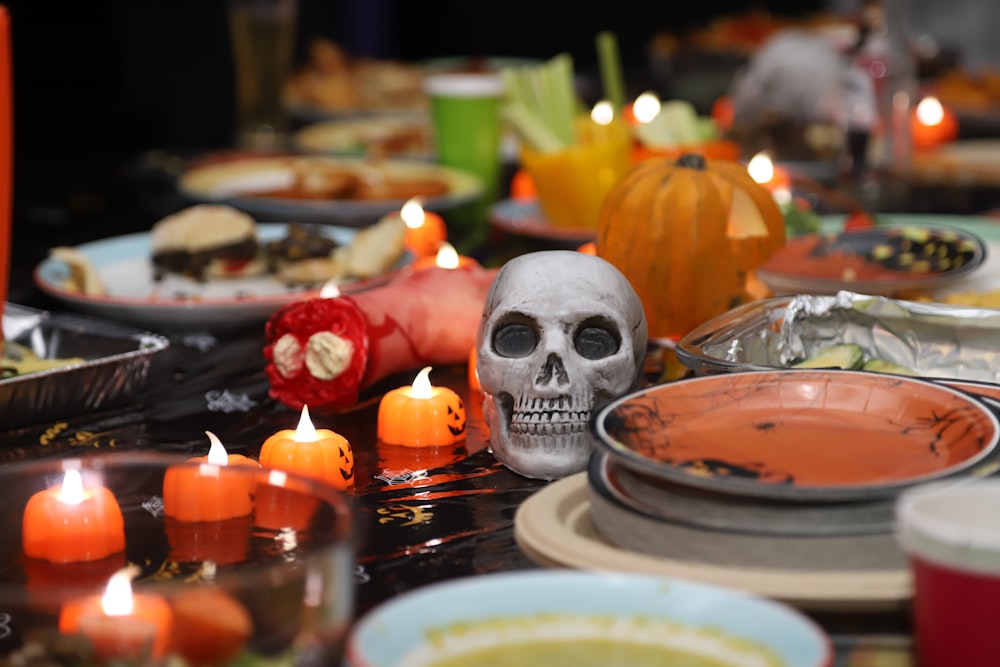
(176, 302)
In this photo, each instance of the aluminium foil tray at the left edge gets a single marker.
(115, 364)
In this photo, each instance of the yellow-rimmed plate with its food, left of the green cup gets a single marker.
(270, 188)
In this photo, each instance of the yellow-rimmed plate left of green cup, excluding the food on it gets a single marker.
(233, 182)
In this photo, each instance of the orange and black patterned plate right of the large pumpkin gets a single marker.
(879, 260)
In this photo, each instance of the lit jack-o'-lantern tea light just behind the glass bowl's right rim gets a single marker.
(315, 453)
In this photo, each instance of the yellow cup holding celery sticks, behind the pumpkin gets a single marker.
(572, 183)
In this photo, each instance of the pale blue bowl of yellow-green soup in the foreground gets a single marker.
(502, 612)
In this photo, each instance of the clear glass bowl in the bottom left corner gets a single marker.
(275, 586)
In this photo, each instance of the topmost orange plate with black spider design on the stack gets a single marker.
(798, 434)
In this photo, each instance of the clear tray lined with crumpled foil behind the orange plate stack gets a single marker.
(932, 339)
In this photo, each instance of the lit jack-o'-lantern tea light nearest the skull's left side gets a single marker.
(421, 415)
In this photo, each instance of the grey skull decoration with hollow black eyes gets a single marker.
(563, 333)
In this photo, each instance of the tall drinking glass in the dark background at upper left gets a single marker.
(263, 40)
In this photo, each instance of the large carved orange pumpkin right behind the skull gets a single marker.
(688, 234)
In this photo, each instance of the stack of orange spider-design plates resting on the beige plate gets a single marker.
(797, 470)
